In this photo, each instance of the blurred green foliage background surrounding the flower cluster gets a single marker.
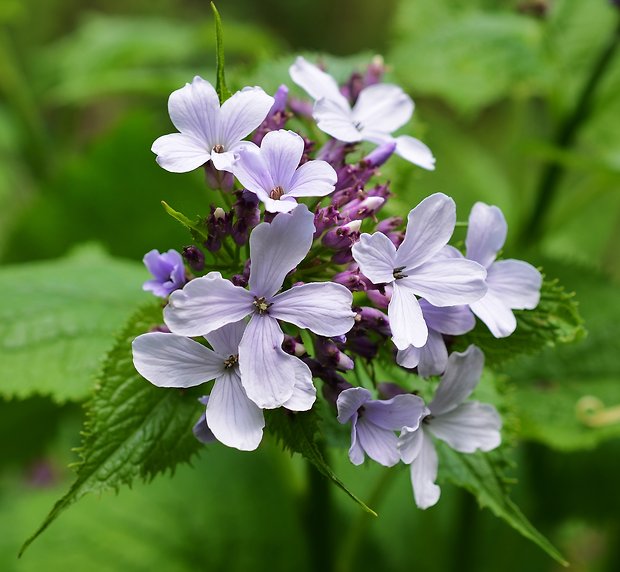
(519, 102)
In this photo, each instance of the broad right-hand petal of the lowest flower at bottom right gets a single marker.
(470, 427)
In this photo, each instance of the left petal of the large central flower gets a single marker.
(206, 304)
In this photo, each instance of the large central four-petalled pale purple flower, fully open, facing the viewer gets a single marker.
(205, 304)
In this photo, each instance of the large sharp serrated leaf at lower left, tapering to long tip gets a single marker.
(133, 430)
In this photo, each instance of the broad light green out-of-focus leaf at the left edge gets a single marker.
(58, 318)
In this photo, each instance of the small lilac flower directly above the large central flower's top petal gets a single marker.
(273, 173)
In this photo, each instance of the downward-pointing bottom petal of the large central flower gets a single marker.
(267, 373)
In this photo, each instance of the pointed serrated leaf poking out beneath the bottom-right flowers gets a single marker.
(480, 474)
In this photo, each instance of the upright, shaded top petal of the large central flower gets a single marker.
(278, 247)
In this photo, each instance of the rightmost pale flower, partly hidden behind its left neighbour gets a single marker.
(513, 284)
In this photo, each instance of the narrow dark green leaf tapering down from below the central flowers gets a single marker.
(297, 432)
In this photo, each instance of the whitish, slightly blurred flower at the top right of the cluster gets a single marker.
(380, 110)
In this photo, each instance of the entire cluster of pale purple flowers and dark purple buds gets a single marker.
(296, 280)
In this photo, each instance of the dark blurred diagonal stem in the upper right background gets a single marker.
(553, 172)
